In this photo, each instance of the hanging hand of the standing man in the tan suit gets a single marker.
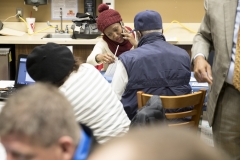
(202, 70)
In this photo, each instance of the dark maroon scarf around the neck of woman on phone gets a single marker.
(123, 47)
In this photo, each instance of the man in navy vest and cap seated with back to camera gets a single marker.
(155, 66)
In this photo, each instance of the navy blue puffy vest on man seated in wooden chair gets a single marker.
(155, 67)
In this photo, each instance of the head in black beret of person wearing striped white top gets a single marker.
(52, 63)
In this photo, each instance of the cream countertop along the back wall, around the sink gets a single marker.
(174, 34)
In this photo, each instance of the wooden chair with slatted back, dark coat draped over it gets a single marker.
(174, 102)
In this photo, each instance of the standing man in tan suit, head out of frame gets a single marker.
(219, 31)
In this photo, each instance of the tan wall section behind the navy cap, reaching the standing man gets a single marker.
(185, 11)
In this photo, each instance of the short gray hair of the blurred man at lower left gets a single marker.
(40, 113)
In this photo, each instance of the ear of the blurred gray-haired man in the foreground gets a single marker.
(67, 147)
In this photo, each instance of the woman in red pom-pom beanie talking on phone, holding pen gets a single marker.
(115, 35)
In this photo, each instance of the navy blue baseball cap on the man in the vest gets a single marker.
(147, 20)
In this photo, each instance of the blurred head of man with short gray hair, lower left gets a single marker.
(37, 123)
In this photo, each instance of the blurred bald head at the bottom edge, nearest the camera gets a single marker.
(157, 143)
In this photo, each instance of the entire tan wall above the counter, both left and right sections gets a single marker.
(185, 11)
